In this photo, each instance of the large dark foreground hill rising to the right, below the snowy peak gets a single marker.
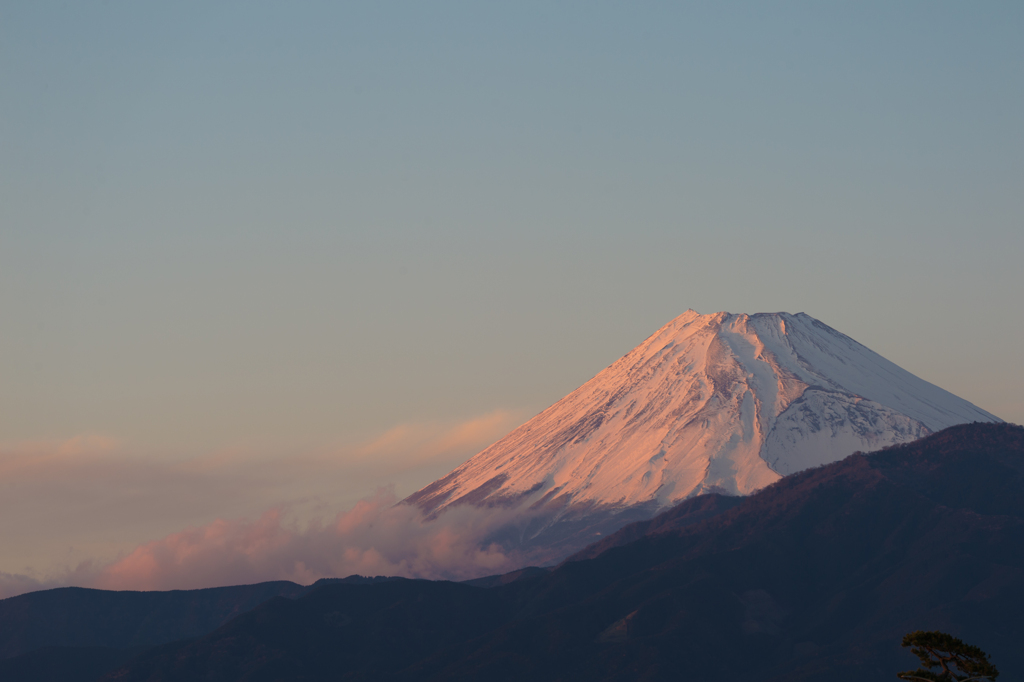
(816, 578)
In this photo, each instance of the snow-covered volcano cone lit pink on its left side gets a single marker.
(716, 403)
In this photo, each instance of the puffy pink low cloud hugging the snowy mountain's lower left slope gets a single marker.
(375, 538)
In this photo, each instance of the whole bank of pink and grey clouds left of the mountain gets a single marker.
(74, 506)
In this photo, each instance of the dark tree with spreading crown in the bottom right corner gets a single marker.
(959, 662)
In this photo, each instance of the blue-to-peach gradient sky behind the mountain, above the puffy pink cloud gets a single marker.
(271, 233)
